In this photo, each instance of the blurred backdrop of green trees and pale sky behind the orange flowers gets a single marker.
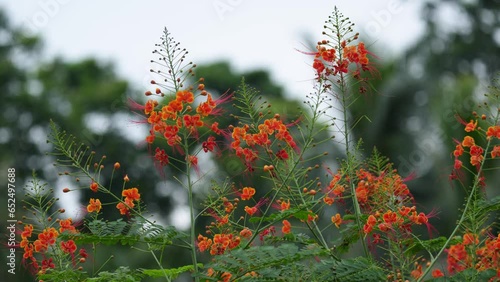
(78, 62)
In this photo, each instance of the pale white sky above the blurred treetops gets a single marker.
(249, 33)
